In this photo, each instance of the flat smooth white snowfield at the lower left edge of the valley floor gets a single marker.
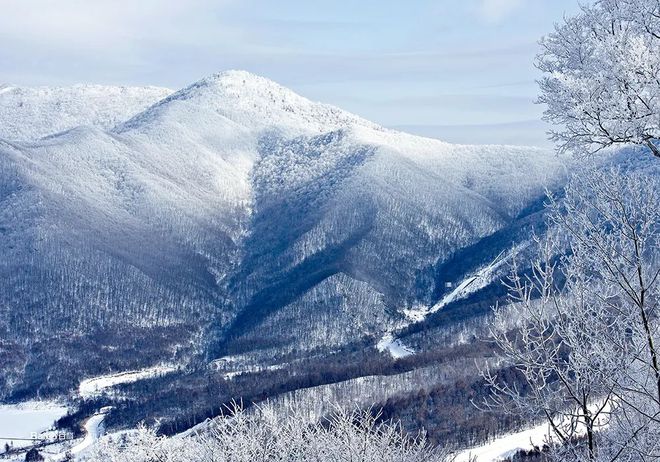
(26, 421)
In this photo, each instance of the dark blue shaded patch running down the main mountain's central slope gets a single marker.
(295, 182)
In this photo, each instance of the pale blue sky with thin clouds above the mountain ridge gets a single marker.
(458, 70)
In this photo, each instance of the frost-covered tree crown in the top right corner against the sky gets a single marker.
(601, 80)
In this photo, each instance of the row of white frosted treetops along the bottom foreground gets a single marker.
(264, 435)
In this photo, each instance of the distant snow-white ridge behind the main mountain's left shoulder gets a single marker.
(28, 113)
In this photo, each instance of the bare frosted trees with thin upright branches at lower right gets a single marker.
(586, 346)
